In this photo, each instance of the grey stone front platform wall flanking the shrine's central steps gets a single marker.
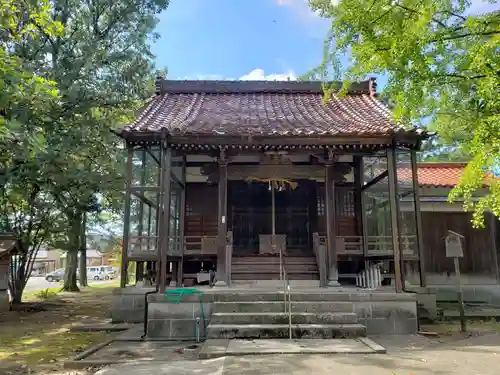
(381, 313)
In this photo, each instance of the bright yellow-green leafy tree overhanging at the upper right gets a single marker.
(442, 63)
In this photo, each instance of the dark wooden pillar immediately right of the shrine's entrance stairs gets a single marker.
(333, 276)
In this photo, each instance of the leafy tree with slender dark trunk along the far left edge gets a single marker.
(26, 99)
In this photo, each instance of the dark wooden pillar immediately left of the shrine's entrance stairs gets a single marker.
(222, 277)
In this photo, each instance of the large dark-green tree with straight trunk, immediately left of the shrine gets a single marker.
(103, 67)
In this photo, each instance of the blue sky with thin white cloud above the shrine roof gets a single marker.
(245, 39)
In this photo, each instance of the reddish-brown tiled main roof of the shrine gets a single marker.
(261, 108)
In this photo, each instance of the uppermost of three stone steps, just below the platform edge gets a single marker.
(279, 307)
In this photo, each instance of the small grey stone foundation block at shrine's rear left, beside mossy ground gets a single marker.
(129, 305)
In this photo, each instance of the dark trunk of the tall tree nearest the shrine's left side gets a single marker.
(70, 284)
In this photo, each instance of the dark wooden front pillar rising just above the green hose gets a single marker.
(164, 233)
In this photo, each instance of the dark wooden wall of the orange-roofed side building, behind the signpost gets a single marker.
(478, 252)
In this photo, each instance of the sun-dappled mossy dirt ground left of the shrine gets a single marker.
(35, 340)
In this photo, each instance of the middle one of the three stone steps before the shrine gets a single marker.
(282, 318)
